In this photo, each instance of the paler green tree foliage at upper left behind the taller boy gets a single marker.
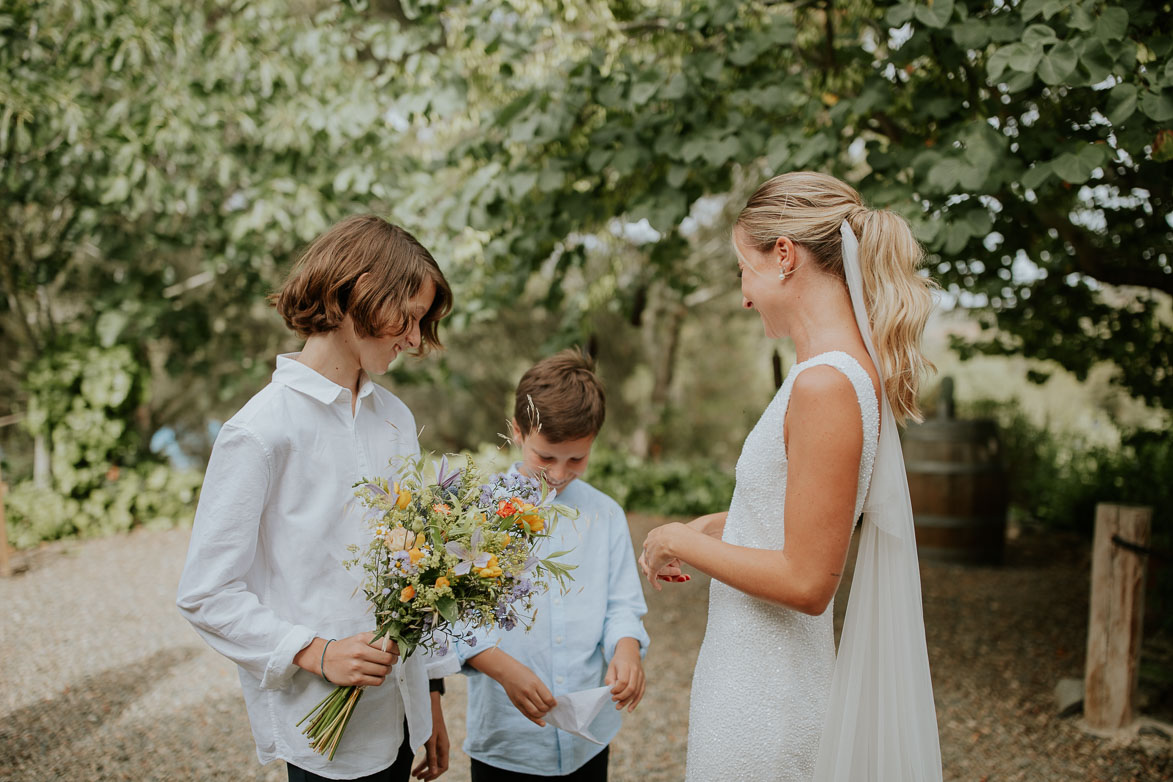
(161, 164)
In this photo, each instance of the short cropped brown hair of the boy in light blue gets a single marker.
(562, 398)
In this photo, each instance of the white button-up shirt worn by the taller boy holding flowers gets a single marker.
(265, 573)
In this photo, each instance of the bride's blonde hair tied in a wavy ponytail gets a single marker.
(809, 208)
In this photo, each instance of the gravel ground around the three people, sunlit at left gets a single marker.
(104, 681)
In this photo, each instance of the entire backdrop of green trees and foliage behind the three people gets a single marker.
(575, 168)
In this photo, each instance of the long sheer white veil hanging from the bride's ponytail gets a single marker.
(882, 720)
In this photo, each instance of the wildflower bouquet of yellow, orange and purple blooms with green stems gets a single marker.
(445, 559)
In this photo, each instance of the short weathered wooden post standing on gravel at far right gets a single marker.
(1120, 555)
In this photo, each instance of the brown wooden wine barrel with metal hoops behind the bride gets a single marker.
(959, 491)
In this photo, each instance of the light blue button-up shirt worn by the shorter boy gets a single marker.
(569, 644)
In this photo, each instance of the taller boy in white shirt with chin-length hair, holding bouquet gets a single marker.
(265, 582)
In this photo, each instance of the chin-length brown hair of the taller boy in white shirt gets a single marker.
(326, 284)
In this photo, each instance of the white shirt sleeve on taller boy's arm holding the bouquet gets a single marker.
(214, 595)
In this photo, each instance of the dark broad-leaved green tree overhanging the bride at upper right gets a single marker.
(1028, 142)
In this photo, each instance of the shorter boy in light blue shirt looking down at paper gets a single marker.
(589, 637)
